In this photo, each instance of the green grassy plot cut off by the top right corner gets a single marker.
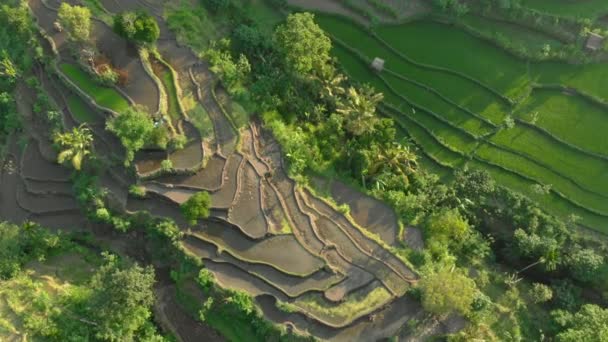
(566, 8)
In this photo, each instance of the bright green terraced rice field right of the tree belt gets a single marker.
(452, 98)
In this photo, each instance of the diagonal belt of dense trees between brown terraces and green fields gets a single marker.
(329, 124)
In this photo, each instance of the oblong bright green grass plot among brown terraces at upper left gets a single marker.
(104, 96)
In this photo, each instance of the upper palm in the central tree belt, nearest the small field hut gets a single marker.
(359, 109)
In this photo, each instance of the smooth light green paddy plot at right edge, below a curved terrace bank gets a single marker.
(570, 118)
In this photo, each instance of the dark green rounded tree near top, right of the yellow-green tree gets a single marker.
(139, 27)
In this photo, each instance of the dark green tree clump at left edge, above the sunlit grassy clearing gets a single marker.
(20, 244)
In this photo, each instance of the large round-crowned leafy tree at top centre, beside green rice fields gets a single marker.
(303, 44)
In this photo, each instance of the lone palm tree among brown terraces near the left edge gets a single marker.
(75, 145)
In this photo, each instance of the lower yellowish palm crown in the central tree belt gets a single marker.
(396, 159)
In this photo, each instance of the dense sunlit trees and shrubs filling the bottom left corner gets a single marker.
(109, 304)
